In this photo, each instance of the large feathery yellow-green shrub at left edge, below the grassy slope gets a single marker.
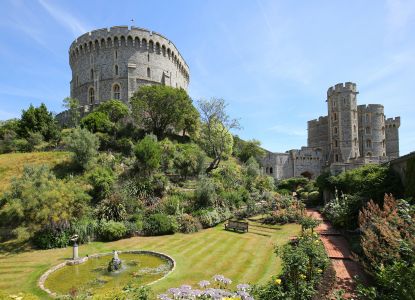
(38, 199)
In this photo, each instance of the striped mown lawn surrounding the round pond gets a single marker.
(245, 258)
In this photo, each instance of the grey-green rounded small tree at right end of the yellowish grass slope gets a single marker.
(84, 145)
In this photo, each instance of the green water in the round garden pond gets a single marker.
(93, 276)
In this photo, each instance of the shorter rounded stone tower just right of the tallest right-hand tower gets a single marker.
(372, 130)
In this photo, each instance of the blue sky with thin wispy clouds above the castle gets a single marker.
(272, 61)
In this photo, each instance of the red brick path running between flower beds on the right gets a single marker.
(338, 251)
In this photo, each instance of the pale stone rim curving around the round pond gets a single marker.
(42, 279)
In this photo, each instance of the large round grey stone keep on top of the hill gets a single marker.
(112, 63)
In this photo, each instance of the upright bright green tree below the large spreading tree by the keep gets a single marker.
(148, 154)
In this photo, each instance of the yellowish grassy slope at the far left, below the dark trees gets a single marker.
(11, 165)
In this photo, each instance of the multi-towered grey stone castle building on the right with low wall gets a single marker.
(349, 136)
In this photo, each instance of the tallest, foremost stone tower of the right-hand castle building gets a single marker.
(343, 123)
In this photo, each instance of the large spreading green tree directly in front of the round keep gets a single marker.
(160, 108)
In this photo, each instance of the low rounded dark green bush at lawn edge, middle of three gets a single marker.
(159, 224)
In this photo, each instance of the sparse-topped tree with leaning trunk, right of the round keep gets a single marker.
(215, 137)
